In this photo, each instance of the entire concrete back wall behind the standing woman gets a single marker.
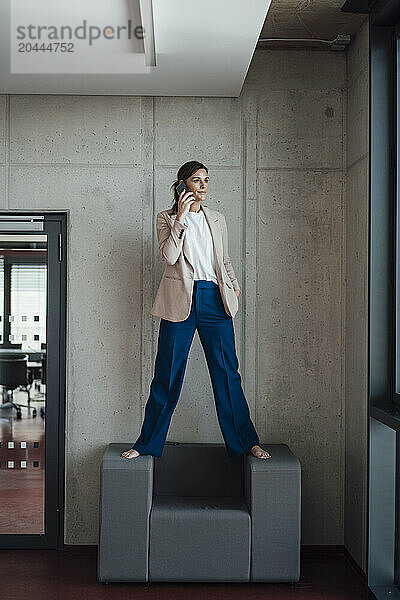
(277, 166)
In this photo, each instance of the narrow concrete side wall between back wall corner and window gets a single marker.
(356, 300)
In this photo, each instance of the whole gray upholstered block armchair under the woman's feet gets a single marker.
(197, 515)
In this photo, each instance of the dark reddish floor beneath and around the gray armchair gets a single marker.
(70, 574)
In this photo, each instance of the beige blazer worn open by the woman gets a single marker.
(174, 295)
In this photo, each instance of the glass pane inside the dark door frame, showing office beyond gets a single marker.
(23, 314)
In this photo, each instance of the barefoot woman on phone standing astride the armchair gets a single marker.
(198, 290)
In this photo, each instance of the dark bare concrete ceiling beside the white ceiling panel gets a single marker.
(308, 19)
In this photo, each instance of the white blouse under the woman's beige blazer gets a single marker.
(200, 246)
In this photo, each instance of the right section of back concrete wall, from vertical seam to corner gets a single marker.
(300, 313)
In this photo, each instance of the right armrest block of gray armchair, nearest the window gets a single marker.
(273, 496)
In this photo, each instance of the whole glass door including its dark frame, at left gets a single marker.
(31, 381)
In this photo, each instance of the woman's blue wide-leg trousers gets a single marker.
(217, 338)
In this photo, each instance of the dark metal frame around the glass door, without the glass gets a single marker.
(55, 226)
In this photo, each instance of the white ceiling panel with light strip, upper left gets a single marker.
(200, 49)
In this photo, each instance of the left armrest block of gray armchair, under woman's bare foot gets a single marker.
(126, 492)
